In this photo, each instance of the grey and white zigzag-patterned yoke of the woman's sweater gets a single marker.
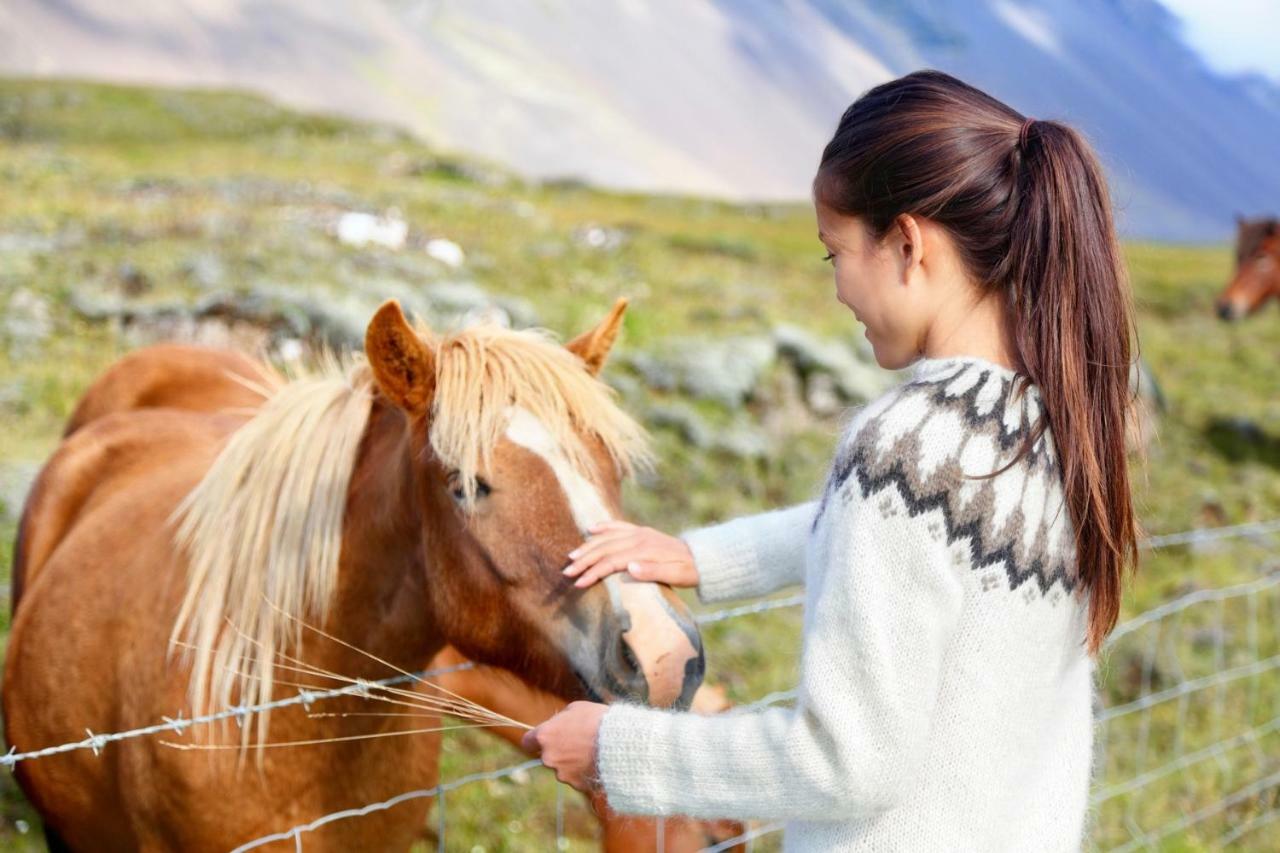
(939, 440)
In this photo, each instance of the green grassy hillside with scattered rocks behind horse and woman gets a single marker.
(153, 198)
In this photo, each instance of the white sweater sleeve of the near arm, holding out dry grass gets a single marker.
(871, 672)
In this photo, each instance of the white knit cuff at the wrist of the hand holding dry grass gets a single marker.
(627, 759)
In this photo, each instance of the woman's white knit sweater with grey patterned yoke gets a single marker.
(945, 694)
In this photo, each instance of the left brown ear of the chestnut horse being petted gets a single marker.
(403, 363)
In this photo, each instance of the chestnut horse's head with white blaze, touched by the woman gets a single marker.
(520, 450)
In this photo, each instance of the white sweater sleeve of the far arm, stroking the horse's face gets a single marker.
(753, 555)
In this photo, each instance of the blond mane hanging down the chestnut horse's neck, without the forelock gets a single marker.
(263, 533)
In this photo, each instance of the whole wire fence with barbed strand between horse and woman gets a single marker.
(1187, 726)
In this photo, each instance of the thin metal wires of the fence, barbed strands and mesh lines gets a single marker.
(1158, 658)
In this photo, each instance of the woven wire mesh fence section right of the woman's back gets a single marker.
(1188, 737)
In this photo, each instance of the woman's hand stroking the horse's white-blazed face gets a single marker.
(643, 553)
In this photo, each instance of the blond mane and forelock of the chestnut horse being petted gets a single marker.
(263, 530)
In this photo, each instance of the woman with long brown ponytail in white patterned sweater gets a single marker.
(966, 559)
